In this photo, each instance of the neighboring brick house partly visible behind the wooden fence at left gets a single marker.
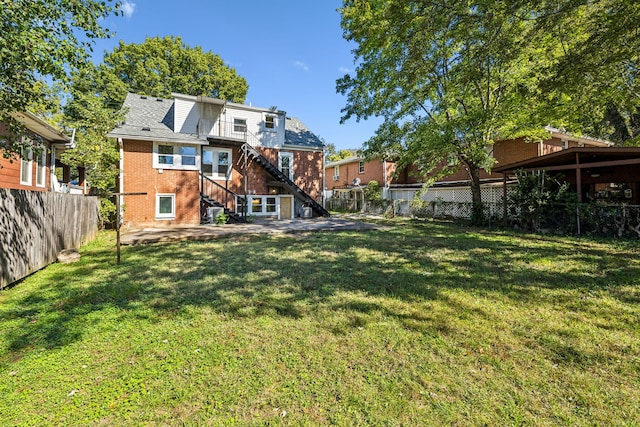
(40, 168)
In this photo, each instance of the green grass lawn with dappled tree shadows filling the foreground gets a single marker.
(423, 324)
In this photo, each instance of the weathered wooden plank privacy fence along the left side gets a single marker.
(36, 226)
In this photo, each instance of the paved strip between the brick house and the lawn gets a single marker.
(208, 232)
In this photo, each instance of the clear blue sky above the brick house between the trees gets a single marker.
(290, 51)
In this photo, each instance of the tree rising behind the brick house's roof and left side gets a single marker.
(157, 67)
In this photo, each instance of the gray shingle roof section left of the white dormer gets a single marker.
(150, 118)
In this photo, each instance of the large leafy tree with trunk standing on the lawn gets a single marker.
(449, 78)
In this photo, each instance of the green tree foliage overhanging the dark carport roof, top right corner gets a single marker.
(598, 68)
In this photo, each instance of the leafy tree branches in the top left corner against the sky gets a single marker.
(43, 40)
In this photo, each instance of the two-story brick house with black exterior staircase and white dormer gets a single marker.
(189, 157)
